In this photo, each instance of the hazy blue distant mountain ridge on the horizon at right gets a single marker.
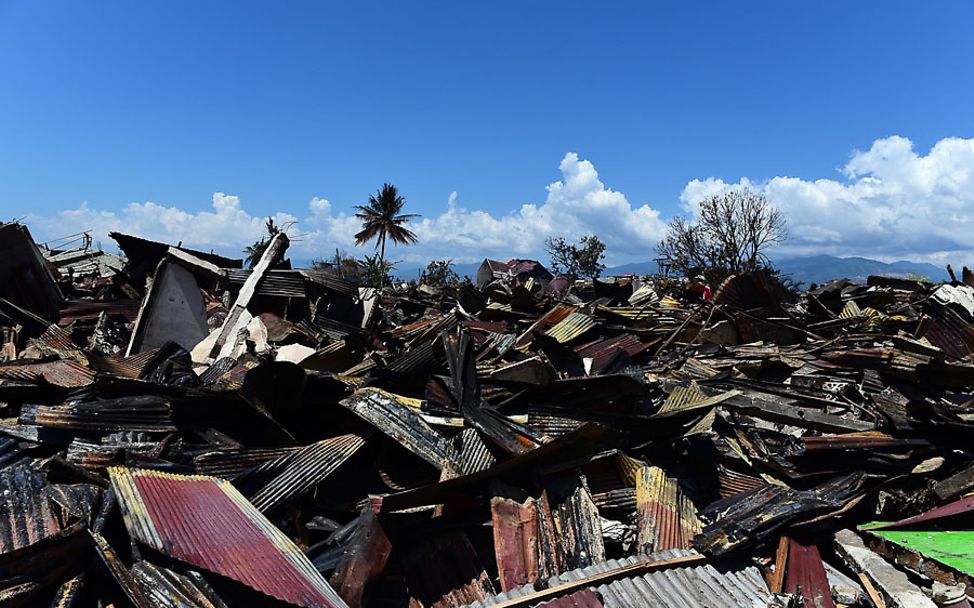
(822, 268)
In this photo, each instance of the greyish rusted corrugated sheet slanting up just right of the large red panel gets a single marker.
(299, 472)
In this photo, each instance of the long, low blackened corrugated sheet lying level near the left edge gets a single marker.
(143, 413)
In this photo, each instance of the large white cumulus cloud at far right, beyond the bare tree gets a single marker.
(890, 202)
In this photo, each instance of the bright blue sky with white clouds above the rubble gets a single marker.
(107, 107)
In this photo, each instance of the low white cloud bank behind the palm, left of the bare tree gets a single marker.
(576, 205)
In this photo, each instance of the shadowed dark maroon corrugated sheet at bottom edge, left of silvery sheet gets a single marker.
(445, 572)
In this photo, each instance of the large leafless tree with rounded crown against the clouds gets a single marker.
(731, 236)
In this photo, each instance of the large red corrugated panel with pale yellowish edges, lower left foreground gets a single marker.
(206, 522)
